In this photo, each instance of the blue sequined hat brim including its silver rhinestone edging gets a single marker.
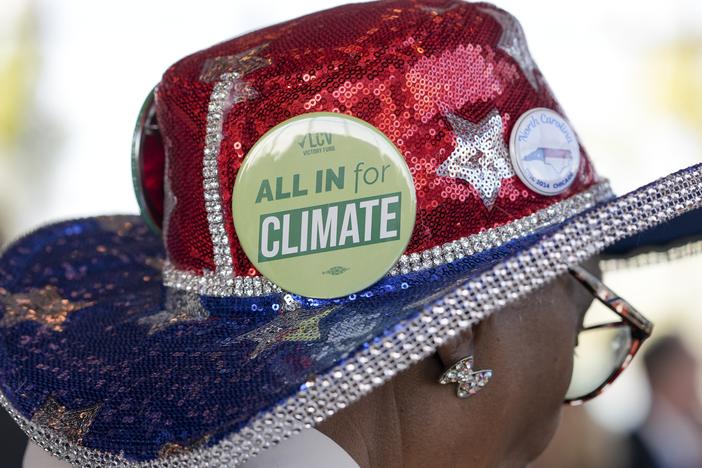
(102, 364)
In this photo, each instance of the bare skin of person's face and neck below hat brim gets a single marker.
(412, 421)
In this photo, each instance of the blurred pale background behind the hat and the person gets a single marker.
(628, 73)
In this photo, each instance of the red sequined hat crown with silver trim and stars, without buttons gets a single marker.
(445, 81)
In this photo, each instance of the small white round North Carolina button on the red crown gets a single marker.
(545, 151)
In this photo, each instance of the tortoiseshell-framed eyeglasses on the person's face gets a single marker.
(606, 348)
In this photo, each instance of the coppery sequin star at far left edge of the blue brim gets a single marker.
(42, 305)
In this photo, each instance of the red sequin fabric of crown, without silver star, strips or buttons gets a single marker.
(399, 65)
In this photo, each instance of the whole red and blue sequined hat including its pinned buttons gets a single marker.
(257, 295)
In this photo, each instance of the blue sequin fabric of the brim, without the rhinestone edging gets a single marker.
(164, 368)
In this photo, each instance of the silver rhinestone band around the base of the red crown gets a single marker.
(248, 286)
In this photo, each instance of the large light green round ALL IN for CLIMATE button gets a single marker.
(324, 205)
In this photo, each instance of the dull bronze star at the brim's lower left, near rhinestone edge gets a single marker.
(72, 424)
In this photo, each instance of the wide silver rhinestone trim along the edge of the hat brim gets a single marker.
(574, 242)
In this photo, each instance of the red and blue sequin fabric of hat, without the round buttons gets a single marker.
(104, 365)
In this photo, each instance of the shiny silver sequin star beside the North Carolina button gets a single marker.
(480, 156)
